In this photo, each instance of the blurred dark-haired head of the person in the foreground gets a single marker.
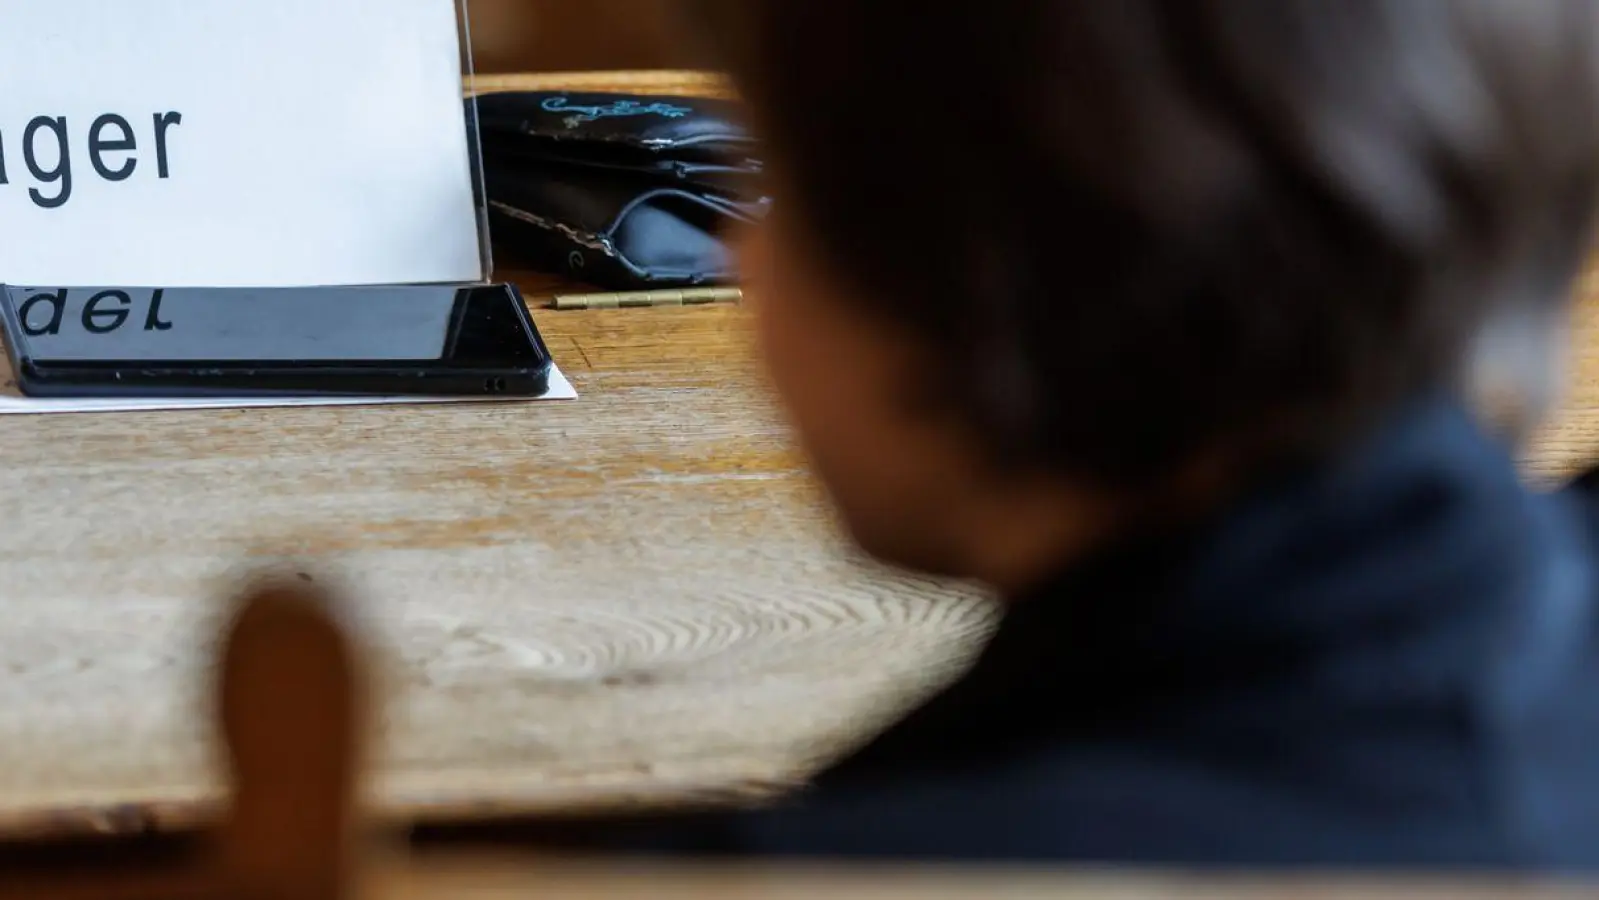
(1042, 271)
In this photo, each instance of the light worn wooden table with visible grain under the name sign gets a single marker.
(631, 599)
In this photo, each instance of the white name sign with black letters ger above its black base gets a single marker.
(234, 143)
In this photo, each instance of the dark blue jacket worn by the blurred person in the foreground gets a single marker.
(1389, 661)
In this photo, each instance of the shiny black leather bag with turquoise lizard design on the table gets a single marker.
(624, 193)
